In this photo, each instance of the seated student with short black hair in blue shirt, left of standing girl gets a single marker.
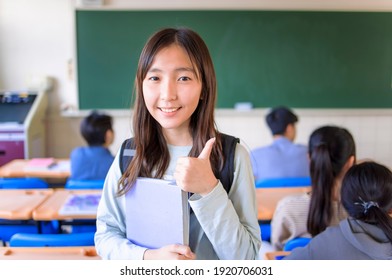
(93, 162)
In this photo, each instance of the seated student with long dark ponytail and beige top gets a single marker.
(332, 153)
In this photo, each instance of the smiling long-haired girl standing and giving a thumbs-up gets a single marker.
(175, 137)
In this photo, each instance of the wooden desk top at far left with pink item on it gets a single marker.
(20, 168)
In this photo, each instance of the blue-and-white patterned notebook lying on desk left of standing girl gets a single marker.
(80, 204)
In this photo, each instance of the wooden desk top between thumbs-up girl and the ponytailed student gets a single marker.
(268, 198)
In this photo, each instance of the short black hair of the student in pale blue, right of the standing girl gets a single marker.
(279, 118)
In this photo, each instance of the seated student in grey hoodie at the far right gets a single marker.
(367, 234)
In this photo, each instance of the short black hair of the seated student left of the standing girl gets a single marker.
(94, 127)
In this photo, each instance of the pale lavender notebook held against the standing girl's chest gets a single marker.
(157, 213)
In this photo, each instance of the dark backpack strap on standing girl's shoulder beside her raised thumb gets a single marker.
(226, 176)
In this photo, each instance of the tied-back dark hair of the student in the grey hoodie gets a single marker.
(367, 195)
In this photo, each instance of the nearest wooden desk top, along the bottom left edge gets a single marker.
(48, 253)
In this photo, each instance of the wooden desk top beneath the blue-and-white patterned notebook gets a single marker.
(49, 210)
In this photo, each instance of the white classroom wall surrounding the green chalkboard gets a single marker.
(37, 39)
